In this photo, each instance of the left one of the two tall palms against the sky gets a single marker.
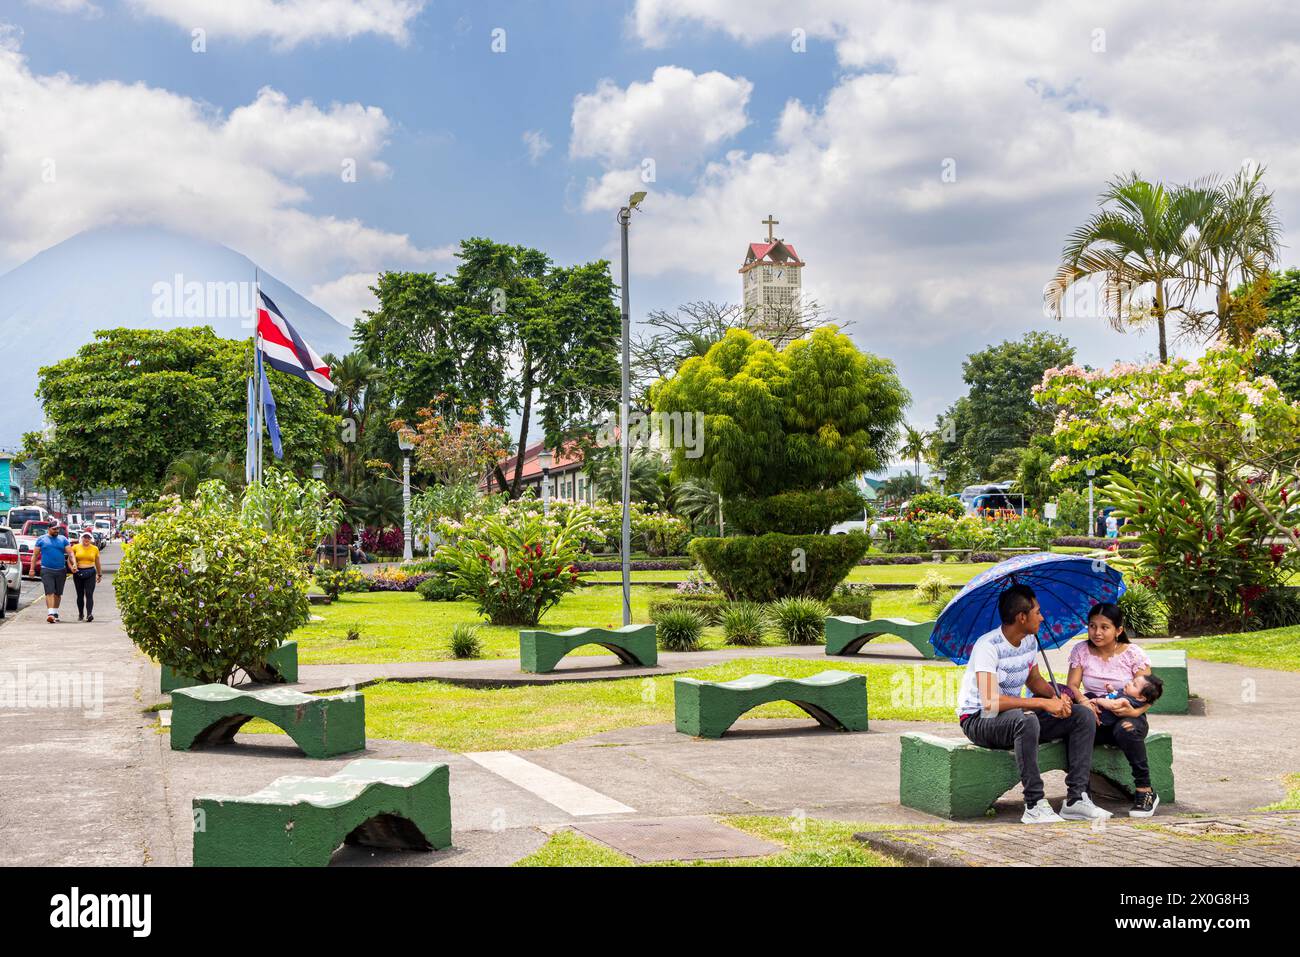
(1146, 239)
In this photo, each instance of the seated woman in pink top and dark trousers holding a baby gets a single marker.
(1106, 664)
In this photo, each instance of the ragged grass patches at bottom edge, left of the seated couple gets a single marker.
(808, 842)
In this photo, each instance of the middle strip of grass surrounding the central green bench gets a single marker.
(476, 720)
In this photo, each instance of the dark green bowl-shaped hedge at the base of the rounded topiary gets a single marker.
(766, 568)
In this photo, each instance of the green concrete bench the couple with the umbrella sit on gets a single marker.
(952, 778)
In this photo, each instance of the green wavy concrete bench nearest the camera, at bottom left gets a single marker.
(301, 821)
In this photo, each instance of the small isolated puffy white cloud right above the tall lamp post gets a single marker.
(677, 119)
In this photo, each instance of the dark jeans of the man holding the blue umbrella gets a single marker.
(1021, 731)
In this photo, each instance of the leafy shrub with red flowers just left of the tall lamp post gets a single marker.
(518, 566)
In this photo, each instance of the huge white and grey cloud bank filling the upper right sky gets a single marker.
(1034, 118)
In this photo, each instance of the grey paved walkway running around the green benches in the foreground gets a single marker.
(101, 786)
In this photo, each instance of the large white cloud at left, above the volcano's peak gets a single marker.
(84, 155)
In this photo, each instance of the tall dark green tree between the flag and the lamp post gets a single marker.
(509, 331)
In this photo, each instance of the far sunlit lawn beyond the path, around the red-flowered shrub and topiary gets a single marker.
(402, 627)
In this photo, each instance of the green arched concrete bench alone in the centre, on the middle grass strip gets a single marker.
(707, 709)
